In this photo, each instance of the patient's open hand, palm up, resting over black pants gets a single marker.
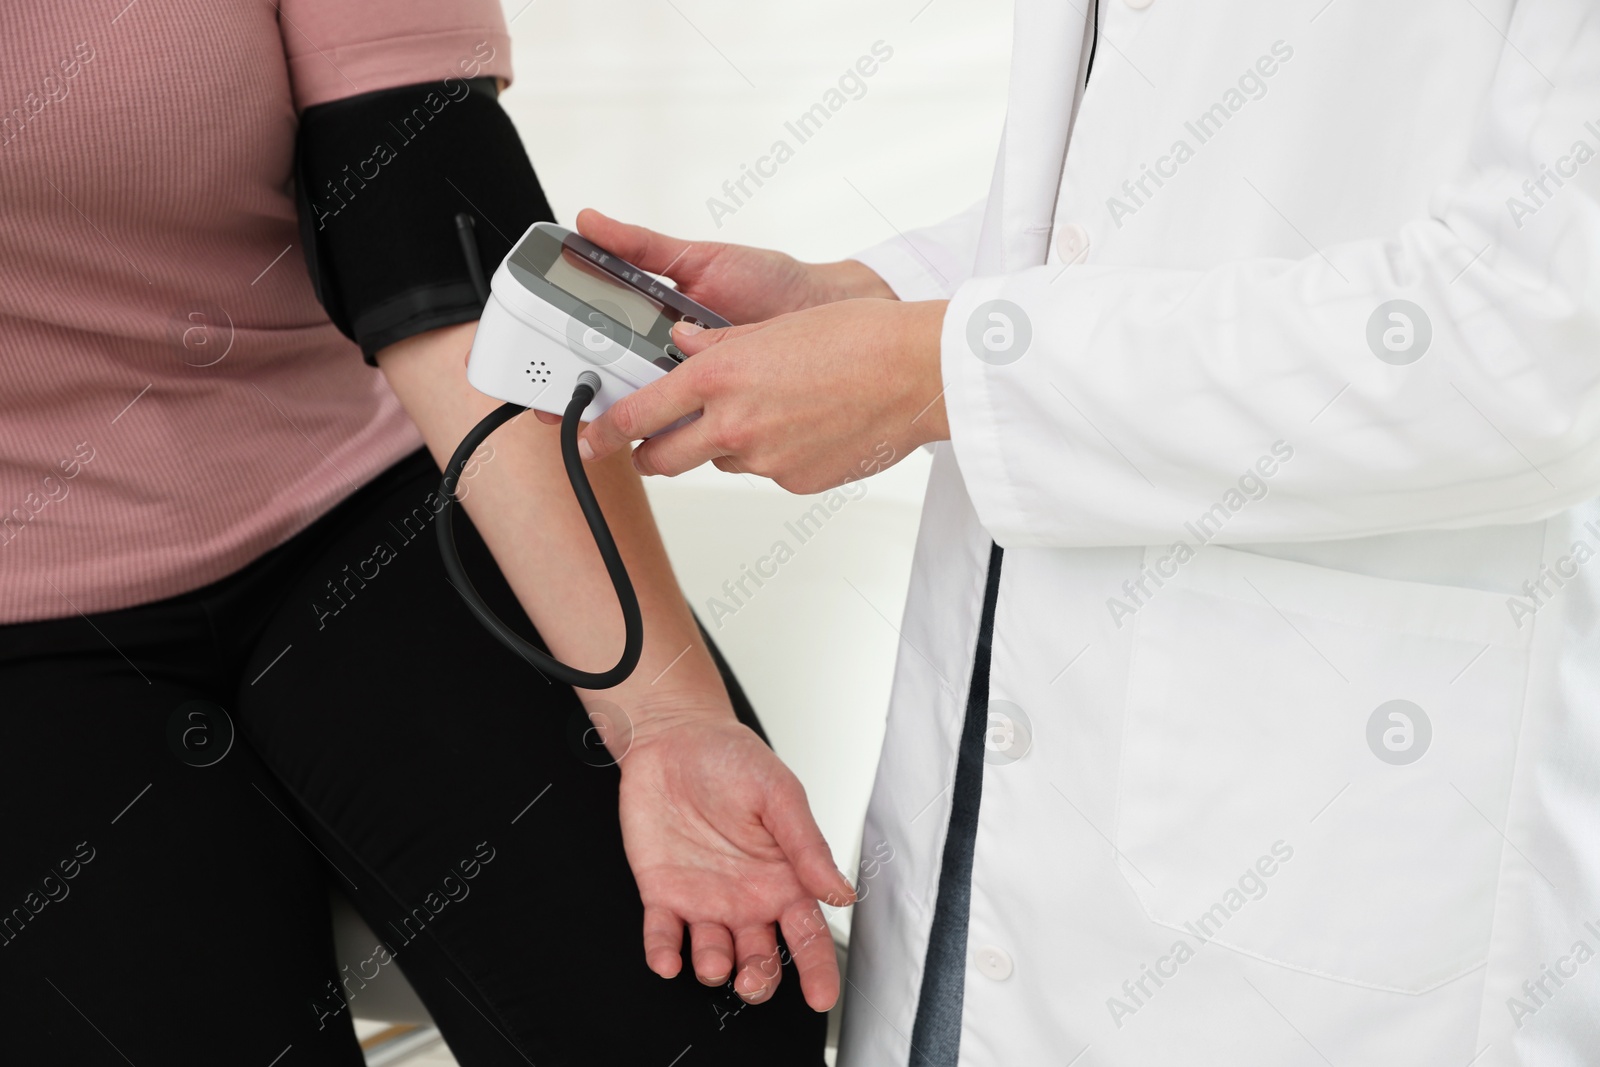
(722, 841)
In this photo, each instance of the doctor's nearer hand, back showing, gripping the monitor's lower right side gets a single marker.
(810, 401)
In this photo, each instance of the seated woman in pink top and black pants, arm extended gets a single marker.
(233, 679)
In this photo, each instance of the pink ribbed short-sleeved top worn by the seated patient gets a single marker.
(174, 401)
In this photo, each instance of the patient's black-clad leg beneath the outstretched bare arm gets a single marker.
(452, 788)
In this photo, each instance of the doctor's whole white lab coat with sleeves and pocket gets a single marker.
(1194, 767)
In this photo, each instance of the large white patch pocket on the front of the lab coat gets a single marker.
(1316, 765)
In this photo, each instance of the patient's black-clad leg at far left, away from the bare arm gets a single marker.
(156, 903)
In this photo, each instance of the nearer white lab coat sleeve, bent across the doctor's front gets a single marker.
(1148, 398)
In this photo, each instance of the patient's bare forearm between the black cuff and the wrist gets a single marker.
(521, 502)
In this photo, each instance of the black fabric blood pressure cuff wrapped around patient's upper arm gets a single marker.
(409, 199)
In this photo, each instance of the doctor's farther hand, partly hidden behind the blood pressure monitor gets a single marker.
(738, 282)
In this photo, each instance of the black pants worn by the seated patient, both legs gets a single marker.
(182, 781)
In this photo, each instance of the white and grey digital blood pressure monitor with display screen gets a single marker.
(559, 306)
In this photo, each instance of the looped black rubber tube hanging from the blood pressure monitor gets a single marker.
(633, 621)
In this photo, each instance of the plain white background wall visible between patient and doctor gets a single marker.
(644, 110)
